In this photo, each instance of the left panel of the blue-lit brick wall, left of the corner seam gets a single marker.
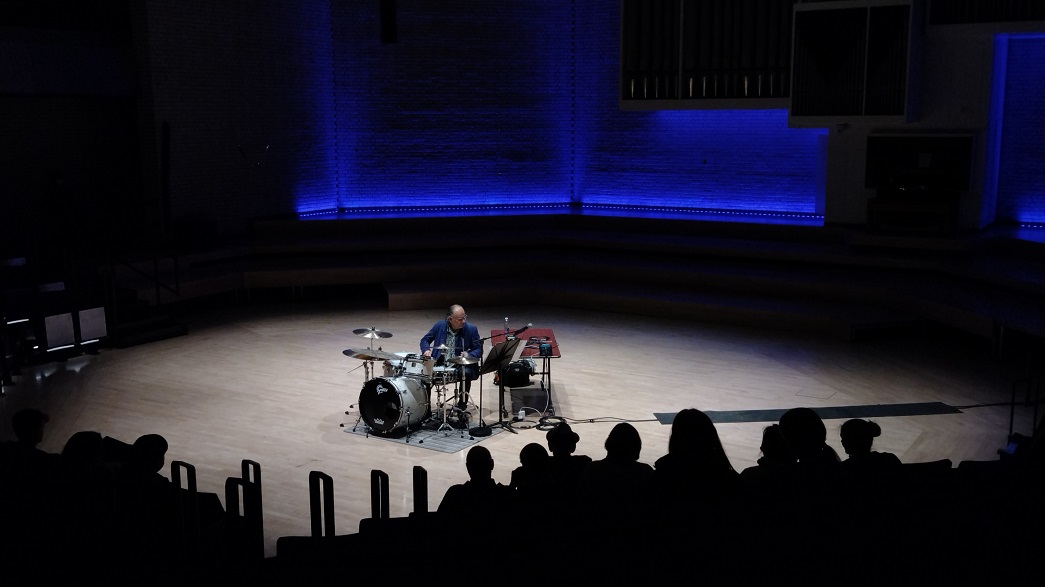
(472, 106)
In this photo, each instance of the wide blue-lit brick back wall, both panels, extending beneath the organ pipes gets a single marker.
(516, 103)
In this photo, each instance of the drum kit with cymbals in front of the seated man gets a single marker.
(401, 398)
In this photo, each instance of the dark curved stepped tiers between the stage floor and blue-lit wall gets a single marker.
(828, 280)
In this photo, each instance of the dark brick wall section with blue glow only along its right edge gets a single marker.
(246, 90)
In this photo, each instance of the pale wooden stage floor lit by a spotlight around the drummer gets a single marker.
(268, 382)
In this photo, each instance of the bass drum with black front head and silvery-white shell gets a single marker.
(390, 404)
